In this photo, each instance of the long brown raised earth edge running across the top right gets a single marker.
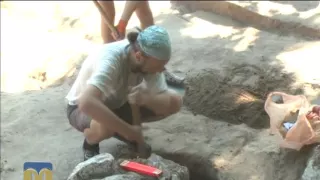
(246, 16)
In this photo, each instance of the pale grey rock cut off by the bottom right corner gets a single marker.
(312, 171)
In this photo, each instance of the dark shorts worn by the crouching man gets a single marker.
(81, 121)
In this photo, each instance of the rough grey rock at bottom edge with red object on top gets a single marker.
(105, 166)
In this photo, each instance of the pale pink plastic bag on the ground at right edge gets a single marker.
(304, 131)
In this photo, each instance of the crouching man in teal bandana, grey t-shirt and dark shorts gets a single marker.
(122, 72)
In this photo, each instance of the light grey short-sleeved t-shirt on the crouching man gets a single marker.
(109, 70)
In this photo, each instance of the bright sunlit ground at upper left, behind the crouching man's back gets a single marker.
(50, 37)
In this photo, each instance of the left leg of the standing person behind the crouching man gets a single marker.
(108, 7)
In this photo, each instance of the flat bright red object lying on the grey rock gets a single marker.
(141, 168)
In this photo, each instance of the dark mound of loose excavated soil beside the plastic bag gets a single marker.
(237, 94)
